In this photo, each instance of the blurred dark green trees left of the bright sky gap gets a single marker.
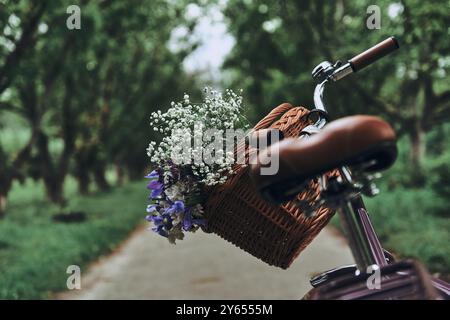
(79, 101)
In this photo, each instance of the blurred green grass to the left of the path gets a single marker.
(35, 251)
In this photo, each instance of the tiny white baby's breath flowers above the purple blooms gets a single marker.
(184, 125)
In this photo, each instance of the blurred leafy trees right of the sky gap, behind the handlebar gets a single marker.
(279, 42)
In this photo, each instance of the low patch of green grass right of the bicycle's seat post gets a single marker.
(413, 223)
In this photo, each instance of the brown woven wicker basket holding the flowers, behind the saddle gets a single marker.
(274, 234)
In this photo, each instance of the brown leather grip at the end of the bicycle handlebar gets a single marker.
(371, 55)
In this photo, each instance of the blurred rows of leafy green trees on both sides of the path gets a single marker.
(76, 102)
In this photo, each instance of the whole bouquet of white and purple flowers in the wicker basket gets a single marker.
(189, 158)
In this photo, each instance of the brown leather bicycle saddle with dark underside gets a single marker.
(350, 141)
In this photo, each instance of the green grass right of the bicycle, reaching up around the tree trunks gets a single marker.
(413, 222)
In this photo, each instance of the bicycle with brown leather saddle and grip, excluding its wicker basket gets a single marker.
(359, 147)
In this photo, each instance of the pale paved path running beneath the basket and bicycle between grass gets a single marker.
(203, 266)
